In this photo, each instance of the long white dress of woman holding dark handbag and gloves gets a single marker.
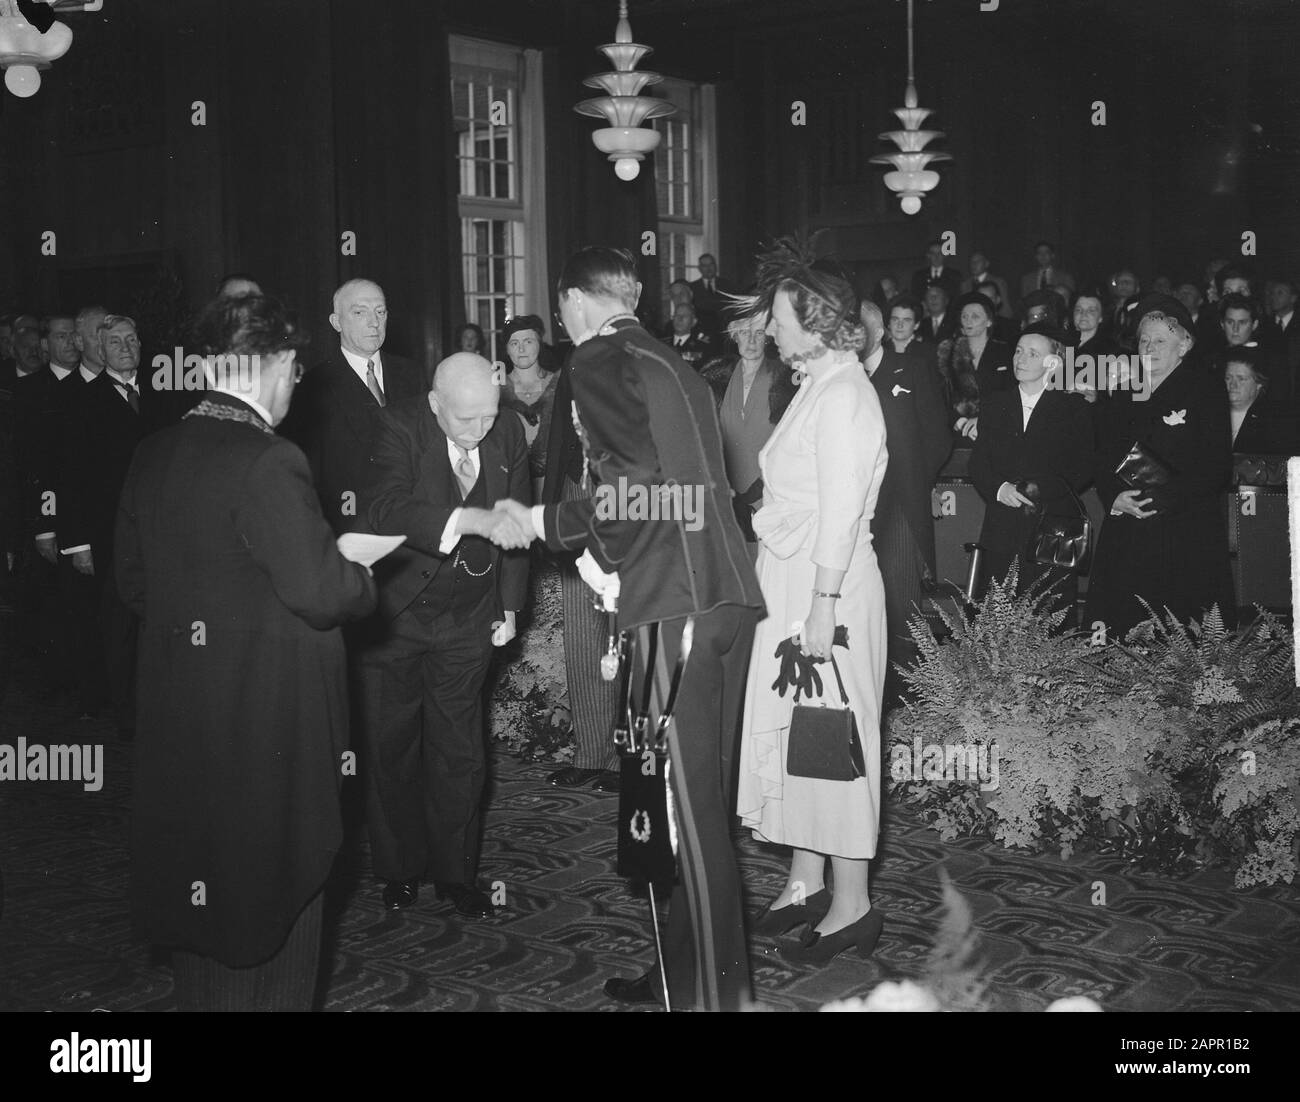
(822, 471)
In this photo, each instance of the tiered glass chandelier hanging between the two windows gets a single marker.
(626, 141)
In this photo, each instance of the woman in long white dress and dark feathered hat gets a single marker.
(822, 471)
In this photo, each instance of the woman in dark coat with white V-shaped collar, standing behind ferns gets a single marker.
(1032, 458)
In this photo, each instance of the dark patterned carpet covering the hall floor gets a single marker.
(569, 921)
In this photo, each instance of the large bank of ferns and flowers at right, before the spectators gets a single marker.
(1175, 750)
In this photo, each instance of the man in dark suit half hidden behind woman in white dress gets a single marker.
(904, 528)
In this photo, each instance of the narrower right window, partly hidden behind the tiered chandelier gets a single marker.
(686, 181)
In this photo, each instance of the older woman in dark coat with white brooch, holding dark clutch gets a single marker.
(1165, 544)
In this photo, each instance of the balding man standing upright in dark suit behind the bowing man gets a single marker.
(336, 413)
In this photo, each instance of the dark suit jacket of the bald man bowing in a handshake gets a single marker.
(414, 493)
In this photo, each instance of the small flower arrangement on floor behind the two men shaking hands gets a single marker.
(530, 704)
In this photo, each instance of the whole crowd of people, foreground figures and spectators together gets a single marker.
(210, 563)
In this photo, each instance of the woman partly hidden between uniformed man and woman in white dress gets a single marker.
(753, 391)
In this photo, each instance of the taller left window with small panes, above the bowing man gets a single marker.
(496, 98)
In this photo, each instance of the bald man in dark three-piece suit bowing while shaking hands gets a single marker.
(440, 463)
